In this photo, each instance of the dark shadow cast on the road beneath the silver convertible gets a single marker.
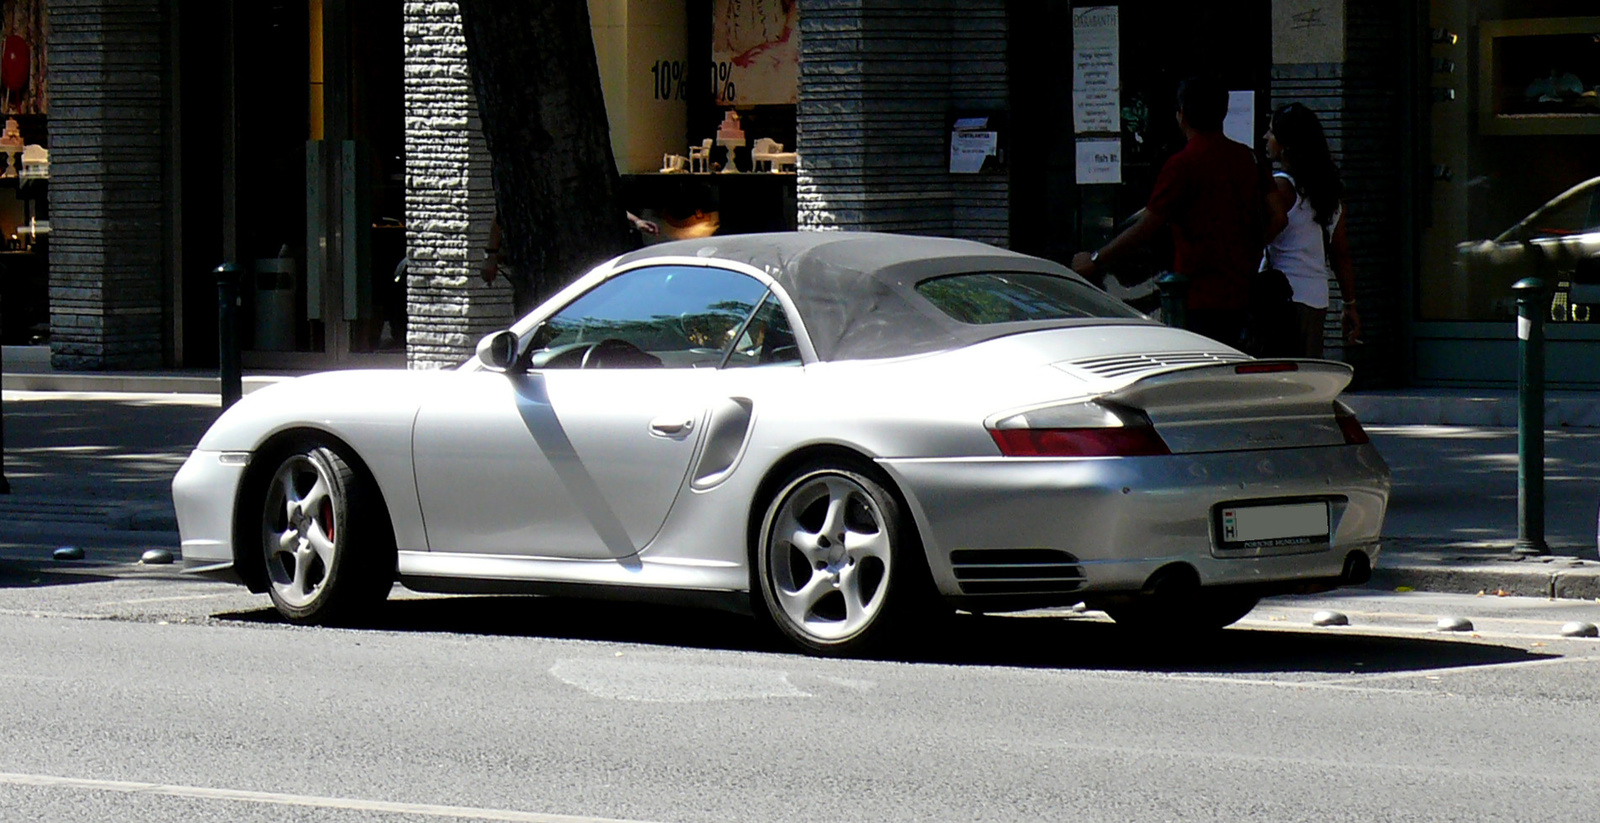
(1025, 641)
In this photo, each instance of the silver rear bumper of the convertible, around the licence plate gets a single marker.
(1124, 518)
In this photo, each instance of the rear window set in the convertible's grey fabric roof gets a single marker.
(983, 299)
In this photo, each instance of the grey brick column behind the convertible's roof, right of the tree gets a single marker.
(879, 81)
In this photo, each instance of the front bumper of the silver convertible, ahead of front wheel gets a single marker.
(204, 496)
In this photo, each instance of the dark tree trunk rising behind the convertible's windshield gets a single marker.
(556, 183)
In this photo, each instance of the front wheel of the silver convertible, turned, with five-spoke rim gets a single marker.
(327, 552)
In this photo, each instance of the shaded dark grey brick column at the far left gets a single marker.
(106, 198)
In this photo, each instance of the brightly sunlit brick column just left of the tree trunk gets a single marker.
(450, 199)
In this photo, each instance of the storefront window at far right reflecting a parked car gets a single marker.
(1516, 129)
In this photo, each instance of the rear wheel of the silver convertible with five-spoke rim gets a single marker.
(841, 569)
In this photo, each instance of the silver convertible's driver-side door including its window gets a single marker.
(585, 454)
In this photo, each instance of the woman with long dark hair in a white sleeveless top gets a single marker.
(1308, 228)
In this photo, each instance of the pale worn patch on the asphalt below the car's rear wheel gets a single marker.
(657, 681)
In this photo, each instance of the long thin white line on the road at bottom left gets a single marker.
(204, 793)
